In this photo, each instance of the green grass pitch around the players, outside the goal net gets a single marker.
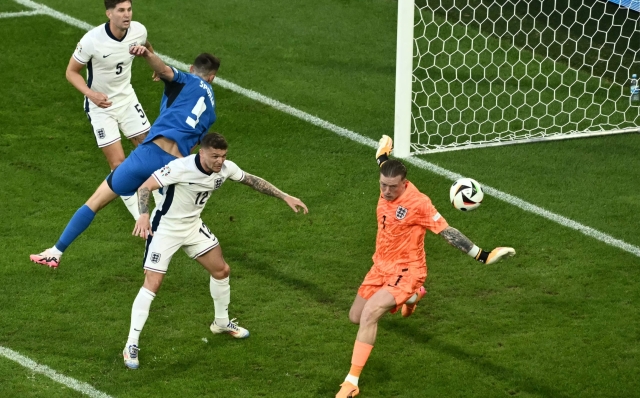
(557, 320)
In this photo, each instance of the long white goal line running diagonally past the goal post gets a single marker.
(316, 121)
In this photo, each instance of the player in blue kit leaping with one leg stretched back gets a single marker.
(187, 111)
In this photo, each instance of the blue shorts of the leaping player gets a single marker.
(137, 168)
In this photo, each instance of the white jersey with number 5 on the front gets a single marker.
(109, 62)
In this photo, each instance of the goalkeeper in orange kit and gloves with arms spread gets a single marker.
(399, 264)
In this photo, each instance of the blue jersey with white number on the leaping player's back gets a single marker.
(187, 111)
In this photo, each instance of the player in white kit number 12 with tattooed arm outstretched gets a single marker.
(176, 223)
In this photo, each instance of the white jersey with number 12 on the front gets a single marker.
(187, 188)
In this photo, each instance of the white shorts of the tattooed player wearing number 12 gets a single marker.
(164, 243)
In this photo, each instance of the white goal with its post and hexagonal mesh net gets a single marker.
(479, 73)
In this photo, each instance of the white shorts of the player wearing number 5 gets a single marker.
(108, 122)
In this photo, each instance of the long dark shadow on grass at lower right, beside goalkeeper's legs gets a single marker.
(520, 381)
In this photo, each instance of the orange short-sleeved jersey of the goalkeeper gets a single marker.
(402, 224)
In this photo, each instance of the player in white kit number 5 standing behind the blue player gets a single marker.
(110, 102)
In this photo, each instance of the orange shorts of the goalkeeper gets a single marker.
(402, 283)
